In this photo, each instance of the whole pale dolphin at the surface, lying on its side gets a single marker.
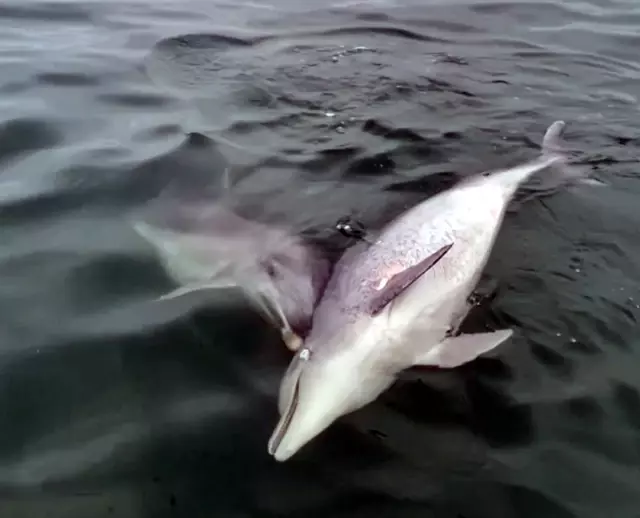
(398, 302)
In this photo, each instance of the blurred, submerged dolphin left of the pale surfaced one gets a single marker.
(279, 274)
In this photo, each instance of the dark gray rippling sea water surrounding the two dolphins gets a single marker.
(113, 406)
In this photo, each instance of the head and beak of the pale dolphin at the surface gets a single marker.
(321, 385)
